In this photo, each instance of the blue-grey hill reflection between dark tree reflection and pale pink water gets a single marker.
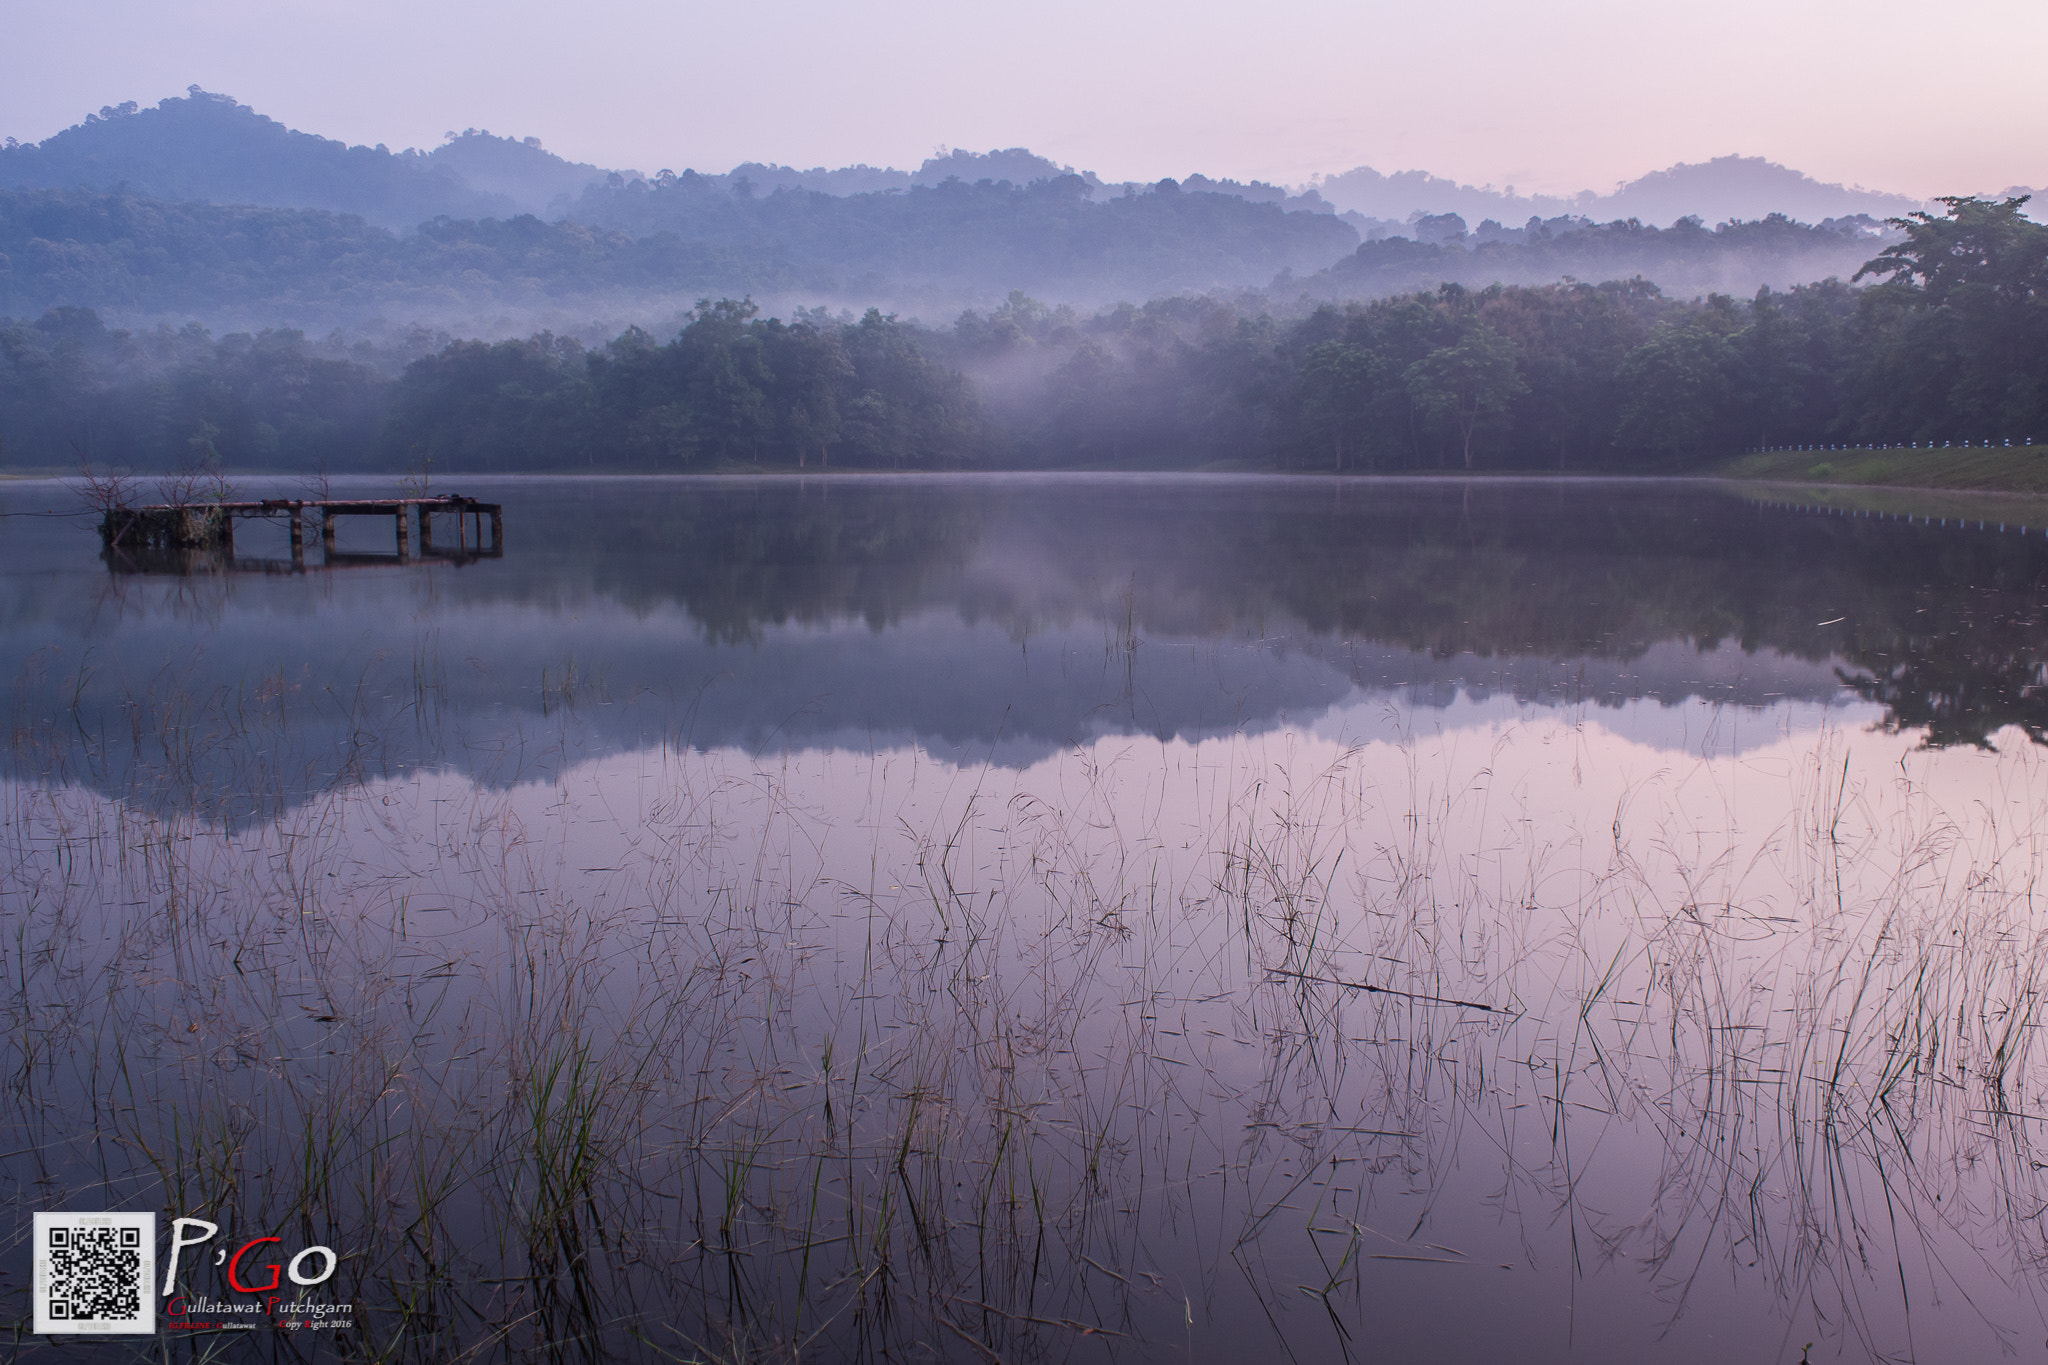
(517, 678)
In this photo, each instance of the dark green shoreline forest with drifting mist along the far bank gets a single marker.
(1949, 343)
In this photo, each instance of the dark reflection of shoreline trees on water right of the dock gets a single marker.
(1943, 625)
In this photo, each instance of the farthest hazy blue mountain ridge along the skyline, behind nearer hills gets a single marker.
(210, 148)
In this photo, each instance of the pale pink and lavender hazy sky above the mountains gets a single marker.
(1547, 97)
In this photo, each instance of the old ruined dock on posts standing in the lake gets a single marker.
(189, 537)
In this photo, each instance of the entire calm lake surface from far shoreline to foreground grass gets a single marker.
(1048, 918)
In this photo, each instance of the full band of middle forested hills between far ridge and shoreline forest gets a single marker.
(929, 253)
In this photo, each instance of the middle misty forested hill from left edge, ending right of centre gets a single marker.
(931, 251)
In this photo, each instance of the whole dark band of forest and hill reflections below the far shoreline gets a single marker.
(1551, 590)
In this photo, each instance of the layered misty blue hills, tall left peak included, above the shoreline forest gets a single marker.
(206, 210)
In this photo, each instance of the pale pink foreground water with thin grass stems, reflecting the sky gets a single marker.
(722, 1055)
